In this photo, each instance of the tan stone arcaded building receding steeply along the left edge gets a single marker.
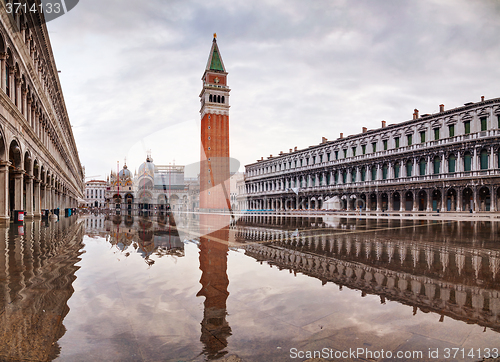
(39, 163)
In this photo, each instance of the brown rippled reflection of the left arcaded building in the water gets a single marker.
(37, 268)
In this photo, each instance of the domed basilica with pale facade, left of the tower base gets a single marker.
(154, 189)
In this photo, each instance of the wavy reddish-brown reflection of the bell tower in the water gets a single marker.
(213, 263)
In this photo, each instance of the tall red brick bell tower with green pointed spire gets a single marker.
(214, 158)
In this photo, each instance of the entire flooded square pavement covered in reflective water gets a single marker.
(262, 288)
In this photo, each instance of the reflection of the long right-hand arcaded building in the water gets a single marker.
(451, 268)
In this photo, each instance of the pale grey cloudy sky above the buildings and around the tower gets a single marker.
(298, 70)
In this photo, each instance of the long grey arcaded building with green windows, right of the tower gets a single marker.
(448, 161)
